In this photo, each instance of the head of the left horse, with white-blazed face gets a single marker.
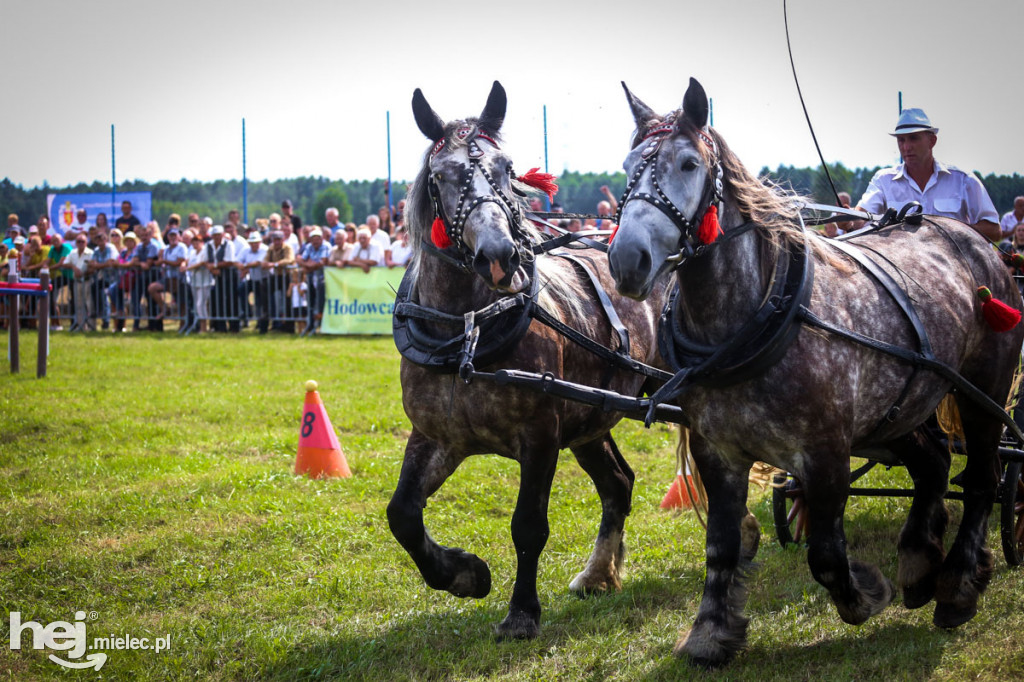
(470, 184)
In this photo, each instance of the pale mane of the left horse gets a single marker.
(561, 289)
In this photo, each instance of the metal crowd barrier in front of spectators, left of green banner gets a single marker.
(162, 300)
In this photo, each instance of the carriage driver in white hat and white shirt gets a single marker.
(942, 190)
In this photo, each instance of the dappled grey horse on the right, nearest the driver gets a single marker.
(824, 396)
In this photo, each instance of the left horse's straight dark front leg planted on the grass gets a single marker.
(530, 534)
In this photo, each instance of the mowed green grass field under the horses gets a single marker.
(149, 482)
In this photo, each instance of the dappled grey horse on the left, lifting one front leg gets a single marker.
(468, 181)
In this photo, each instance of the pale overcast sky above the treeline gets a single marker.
(315, 80)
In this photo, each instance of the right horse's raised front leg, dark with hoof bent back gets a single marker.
(859, 589)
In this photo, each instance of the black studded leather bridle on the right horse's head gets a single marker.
(689, 246)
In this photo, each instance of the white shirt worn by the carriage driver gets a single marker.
(950, 192)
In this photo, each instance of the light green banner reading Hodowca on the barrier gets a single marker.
(360, 303)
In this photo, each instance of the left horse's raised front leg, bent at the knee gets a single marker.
(425, 468)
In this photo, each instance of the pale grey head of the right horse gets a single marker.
(675, 179)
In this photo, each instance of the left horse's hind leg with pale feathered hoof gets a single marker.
(614, 480)
